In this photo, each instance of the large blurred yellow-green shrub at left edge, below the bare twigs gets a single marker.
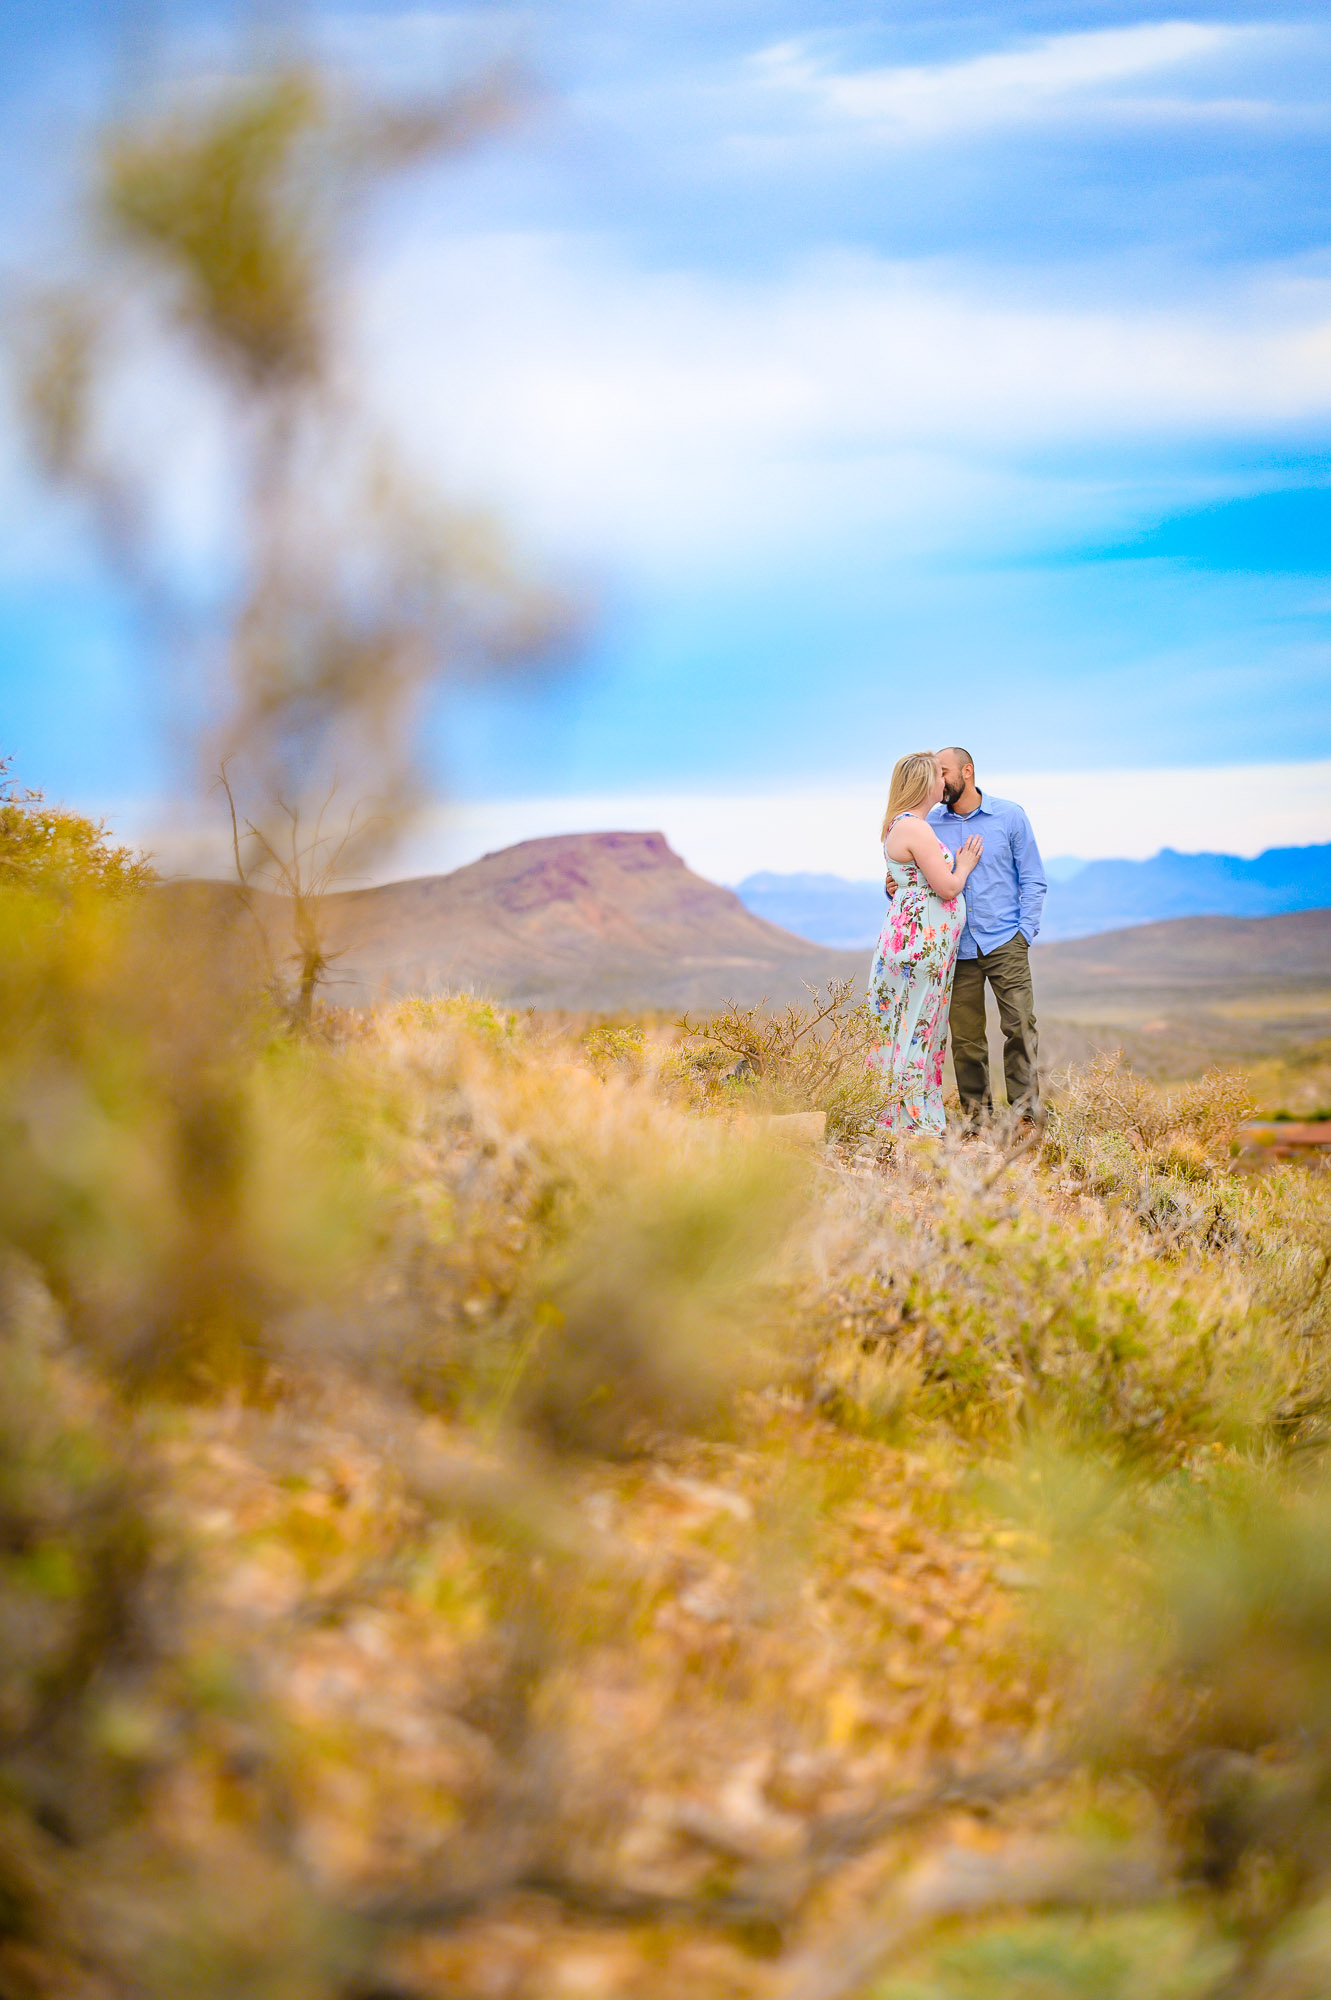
(169, 1163)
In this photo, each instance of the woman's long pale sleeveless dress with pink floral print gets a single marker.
(910, 999)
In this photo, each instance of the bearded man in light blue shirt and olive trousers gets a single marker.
(1002, 921)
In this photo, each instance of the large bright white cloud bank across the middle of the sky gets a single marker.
(661, 419)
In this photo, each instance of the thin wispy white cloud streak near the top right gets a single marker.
(1058, 75)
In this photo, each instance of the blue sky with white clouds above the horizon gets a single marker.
(882, 377)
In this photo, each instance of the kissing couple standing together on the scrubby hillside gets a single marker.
(966, 889)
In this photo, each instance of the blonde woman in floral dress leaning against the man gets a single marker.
(910, 987)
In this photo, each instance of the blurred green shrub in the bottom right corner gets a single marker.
(1202, 1621)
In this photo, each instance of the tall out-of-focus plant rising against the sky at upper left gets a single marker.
(327, 591)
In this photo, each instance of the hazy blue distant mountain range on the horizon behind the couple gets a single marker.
(1084, 897)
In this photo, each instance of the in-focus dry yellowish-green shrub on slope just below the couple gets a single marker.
(982, 1309)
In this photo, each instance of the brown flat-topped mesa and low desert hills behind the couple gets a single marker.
(617, 923)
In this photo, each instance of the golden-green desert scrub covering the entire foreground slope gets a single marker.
(523, 1529)
